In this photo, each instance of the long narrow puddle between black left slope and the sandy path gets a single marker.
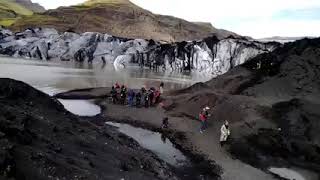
(154, 141)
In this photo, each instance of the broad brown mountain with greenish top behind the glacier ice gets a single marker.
(119, 18)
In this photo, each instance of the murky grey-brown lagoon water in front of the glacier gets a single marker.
(70, 75)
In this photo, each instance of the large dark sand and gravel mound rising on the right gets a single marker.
(272, 103)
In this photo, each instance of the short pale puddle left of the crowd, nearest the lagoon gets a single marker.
(81, 107)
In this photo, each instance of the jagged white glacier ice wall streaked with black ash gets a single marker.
(210, 55)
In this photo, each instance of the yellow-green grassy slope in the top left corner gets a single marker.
(11, 10)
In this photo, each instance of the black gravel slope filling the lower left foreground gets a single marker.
(40, 140)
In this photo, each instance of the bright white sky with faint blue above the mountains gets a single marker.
(255, 18)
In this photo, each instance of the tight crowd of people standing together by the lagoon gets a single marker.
(144, 97)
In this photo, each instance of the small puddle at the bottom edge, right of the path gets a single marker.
(294, 173)
